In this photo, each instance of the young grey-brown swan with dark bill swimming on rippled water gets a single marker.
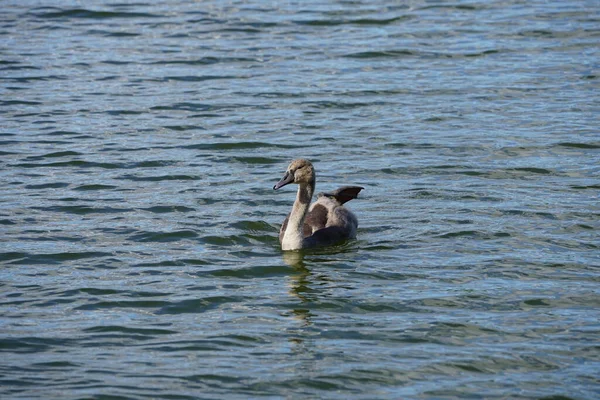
(326, 222)
